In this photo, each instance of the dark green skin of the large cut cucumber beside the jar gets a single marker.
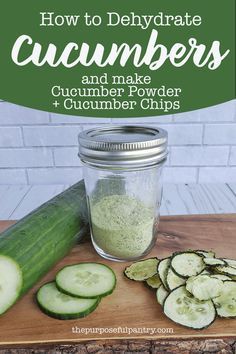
(42, 238)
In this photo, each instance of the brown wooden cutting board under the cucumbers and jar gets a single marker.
(132, 307)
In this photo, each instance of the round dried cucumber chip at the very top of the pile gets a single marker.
(187, 264)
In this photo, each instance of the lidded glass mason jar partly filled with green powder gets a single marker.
(122, 168)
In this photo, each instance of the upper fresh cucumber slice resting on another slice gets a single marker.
(86, 280)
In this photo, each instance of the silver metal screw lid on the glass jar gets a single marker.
(123, 146)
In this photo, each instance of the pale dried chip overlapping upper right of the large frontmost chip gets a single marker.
(204, 287)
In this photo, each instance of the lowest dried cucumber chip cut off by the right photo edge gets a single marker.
(226, 303)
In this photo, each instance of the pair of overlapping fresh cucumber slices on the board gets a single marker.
(77, 291)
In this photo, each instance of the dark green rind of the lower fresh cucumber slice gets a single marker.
(66, 316)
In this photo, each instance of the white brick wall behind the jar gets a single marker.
(39, 148)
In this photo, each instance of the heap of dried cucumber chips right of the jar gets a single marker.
(194, 287)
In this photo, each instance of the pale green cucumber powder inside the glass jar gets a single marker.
(122, 226)
